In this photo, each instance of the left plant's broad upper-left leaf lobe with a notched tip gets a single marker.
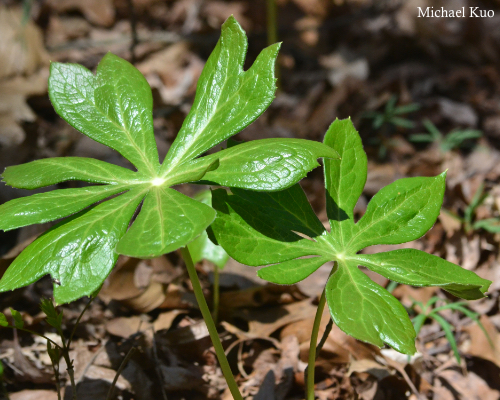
(114, 107)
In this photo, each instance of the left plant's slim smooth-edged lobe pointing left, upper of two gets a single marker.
(50, 171)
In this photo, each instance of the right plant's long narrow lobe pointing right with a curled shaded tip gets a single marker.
(417, 268)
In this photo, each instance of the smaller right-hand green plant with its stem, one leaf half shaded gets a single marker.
(280, 230)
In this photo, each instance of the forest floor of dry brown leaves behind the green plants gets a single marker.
(393, 73)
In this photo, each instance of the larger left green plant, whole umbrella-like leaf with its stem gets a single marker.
(114, 107)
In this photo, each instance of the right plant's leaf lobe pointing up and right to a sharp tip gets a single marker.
(400, 212)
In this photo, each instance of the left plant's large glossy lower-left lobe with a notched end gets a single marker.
(79, 254)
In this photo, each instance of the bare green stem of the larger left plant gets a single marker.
(214, 335)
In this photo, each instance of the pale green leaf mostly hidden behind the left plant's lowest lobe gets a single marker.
(202, 247)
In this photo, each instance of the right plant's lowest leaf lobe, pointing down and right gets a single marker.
(367, 311)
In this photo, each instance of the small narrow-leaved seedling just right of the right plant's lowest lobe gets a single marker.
(428, 312)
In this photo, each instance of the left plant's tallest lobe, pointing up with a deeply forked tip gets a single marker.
(227, 98)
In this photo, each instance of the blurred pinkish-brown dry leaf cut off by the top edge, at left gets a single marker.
(99, 12)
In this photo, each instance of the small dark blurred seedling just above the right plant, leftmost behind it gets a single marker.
(391, 115)
